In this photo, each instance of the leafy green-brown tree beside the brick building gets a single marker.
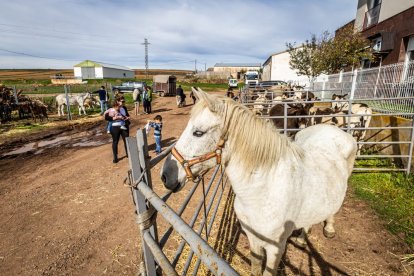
(329, 54)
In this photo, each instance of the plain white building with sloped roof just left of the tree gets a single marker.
(277, 67)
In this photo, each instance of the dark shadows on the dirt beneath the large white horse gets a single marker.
(230, 231)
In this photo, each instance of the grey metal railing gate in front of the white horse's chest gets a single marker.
(154, 237)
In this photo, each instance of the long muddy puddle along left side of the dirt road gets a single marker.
(80, 139)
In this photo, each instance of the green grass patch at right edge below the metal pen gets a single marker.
(391, 195)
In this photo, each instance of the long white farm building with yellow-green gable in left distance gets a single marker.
(89, 69)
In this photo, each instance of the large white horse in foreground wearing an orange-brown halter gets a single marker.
(279, 185)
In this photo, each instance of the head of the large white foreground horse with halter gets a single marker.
(197, 149)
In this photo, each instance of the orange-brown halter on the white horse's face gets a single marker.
(187, 164)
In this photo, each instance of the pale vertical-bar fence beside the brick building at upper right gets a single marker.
(395, 81)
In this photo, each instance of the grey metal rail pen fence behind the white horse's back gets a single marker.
(389, 138)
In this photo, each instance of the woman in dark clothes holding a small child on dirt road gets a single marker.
(116, 131)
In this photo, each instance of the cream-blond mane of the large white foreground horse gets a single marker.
(255, 141)
